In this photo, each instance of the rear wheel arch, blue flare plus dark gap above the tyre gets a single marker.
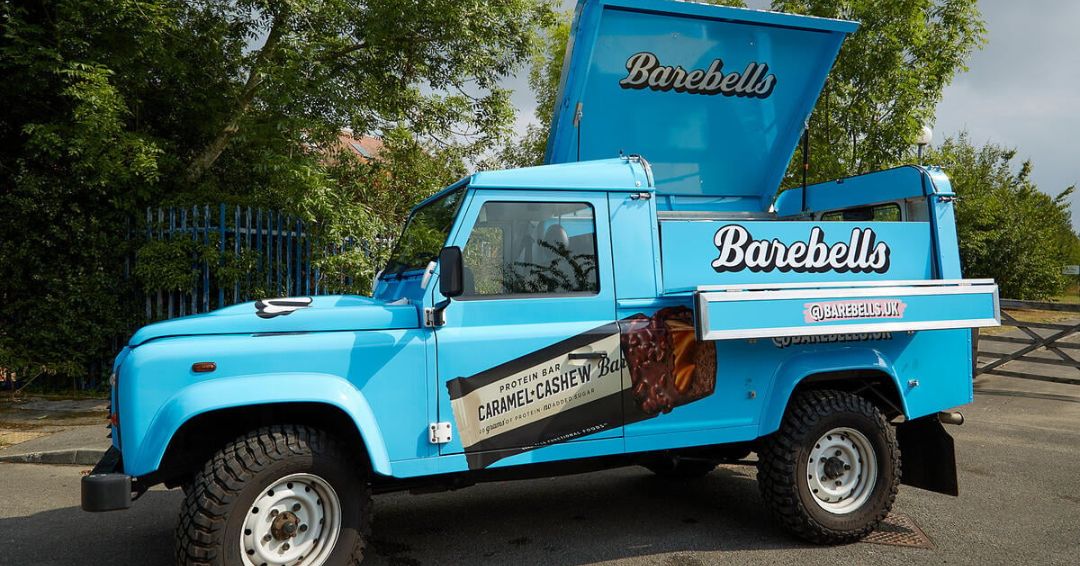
(866, 372)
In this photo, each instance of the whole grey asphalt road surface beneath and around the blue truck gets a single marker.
(1020, 504)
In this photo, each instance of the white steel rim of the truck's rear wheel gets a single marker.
(843, 470)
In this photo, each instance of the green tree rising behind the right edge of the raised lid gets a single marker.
(887, 80)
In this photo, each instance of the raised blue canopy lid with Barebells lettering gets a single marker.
(714, 98)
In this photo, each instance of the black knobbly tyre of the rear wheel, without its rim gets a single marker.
(784, 462)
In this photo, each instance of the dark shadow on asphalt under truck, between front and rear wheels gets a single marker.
(578, 520)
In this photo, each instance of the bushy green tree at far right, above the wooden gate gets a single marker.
(1008, 230)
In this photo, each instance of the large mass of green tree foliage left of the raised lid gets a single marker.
(111, 107)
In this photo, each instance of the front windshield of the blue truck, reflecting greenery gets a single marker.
(425, 234)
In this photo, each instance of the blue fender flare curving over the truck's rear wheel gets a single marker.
(796, 369)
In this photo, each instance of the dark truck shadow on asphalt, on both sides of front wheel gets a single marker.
(571, 520)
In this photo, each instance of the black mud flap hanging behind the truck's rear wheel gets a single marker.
(928, 456)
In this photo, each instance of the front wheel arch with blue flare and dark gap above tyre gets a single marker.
(202, 419)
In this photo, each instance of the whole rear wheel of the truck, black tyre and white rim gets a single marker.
(831, 474)
